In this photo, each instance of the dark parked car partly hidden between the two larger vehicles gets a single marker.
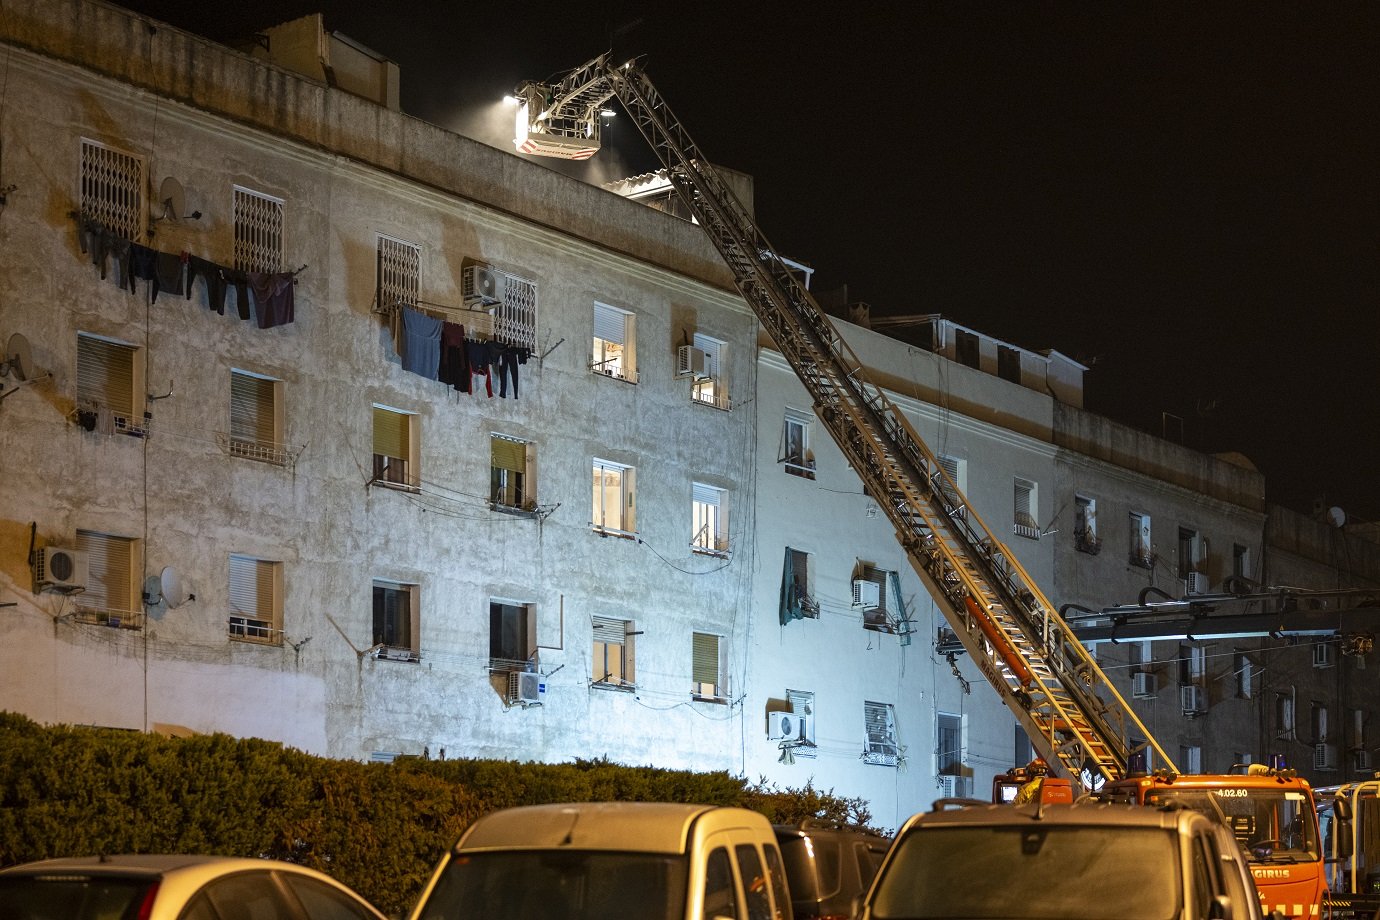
(829, 868)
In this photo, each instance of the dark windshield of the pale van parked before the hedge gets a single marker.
(544, 885)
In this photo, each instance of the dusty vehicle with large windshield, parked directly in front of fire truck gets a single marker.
(1065, 863)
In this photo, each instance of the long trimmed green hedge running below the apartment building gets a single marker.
(379, 828)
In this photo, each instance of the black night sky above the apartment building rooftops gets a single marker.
(1182, 197)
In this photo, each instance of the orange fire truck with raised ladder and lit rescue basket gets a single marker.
(1077, 721)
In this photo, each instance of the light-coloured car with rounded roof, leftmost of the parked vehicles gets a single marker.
(175, 888)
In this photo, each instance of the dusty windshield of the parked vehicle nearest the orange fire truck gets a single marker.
(1032, 872)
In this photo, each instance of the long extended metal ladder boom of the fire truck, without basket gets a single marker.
(1074, 717)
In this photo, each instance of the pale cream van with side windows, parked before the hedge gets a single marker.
(594, 861)
